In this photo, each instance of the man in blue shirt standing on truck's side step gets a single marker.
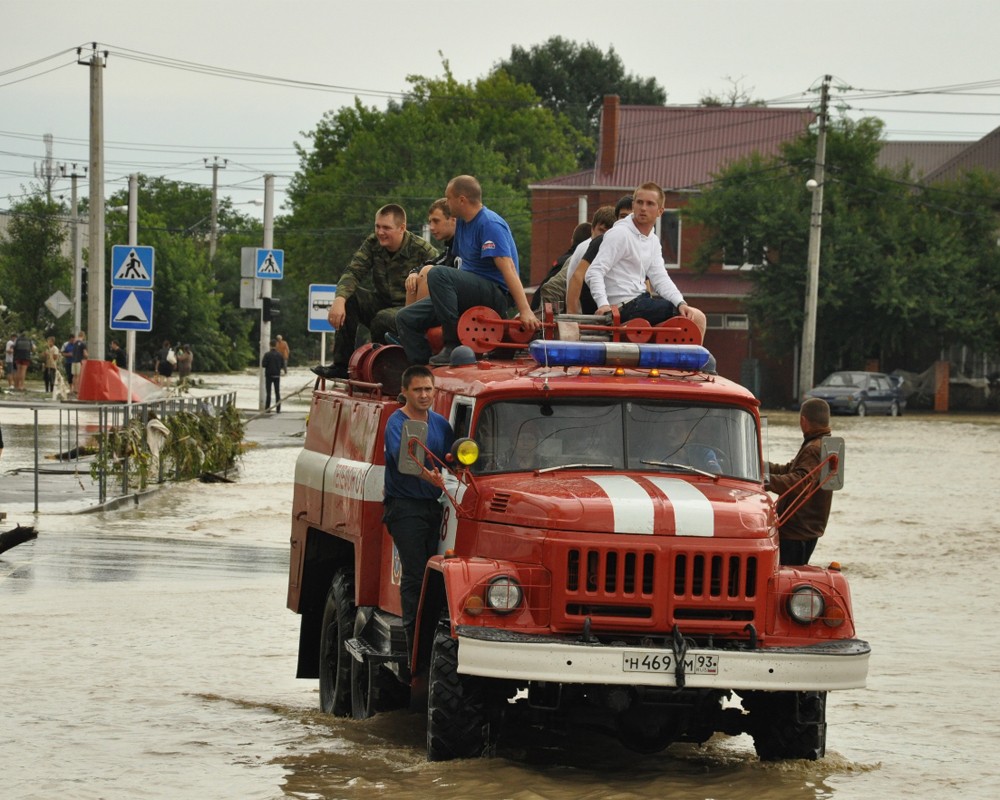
(412, 508)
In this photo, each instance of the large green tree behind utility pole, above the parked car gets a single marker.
(903, 271)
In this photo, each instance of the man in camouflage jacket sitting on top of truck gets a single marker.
(373, 288)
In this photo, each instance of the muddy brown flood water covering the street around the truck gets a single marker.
(147, 652)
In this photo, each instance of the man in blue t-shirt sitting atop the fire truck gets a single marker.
(487, 275)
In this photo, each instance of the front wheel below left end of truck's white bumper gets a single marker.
(459, 723)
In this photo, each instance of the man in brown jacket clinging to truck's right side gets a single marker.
(798, 535)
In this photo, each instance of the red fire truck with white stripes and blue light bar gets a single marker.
(608, 552)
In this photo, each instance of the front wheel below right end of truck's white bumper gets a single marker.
(787, 725)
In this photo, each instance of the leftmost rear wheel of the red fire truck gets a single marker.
(334, 660)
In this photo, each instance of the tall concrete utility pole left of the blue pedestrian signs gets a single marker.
(95, 264)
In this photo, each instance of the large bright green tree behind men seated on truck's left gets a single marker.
(362, 158)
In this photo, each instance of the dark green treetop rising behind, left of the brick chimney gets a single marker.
(572, 79)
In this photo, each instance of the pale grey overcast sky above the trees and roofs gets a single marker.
(162, 120)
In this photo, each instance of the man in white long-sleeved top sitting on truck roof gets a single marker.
(629, 255)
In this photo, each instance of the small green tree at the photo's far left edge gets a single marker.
(32, 265)
